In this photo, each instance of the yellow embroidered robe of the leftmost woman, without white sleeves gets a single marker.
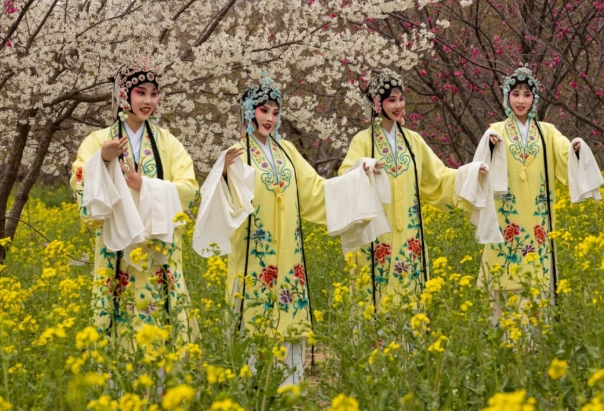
(149, 286)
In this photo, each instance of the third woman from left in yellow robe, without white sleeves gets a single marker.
(398, 261)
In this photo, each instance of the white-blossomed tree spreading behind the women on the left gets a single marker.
(57, 58)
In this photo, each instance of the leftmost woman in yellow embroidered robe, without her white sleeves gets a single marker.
(158, 292)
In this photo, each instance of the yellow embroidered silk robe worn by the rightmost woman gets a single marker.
(522, 212)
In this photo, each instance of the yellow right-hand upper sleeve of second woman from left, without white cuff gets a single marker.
(311, 187)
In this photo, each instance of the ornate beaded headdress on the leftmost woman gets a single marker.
(137, 70)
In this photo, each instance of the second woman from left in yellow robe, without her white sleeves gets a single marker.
(267, 279)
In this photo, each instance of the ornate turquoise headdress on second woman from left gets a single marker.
(256, 96)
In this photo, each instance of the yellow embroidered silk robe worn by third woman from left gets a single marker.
(397, 256)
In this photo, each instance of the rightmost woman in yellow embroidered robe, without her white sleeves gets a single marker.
(536, 155)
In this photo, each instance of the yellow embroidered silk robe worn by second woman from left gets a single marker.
(275, 290)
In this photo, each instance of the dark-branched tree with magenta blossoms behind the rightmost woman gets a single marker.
(455, 93)
